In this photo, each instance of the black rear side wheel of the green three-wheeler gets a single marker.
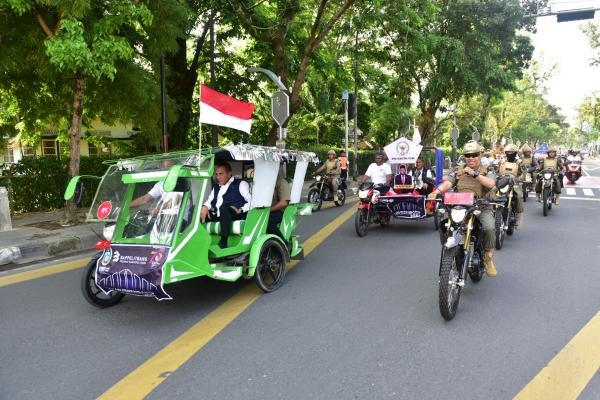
(270, 271)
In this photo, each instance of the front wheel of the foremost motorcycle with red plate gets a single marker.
(449, 290)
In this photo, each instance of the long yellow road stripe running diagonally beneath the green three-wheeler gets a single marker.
(145, 378)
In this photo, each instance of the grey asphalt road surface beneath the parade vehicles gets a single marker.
(357, 319)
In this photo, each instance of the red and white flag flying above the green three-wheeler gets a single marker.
(222, 110)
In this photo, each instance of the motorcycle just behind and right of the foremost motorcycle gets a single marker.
(506, 202)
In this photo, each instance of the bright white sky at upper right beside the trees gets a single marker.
(564, 45)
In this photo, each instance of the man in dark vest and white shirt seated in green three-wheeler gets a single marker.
(228, 201)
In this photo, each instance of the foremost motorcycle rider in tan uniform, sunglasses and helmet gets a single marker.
(475, 178)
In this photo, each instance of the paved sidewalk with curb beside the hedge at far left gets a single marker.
(40, 236)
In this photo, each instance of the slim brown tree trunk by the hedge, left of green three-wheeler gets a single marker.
(75, 138)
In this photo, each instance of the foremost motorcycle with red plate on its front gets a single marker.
(462, 252)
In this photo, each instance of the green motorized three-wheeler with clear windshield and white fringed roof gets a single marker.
(163, 241)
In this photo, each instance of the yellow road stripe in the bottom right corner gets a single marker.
(568, 373)
